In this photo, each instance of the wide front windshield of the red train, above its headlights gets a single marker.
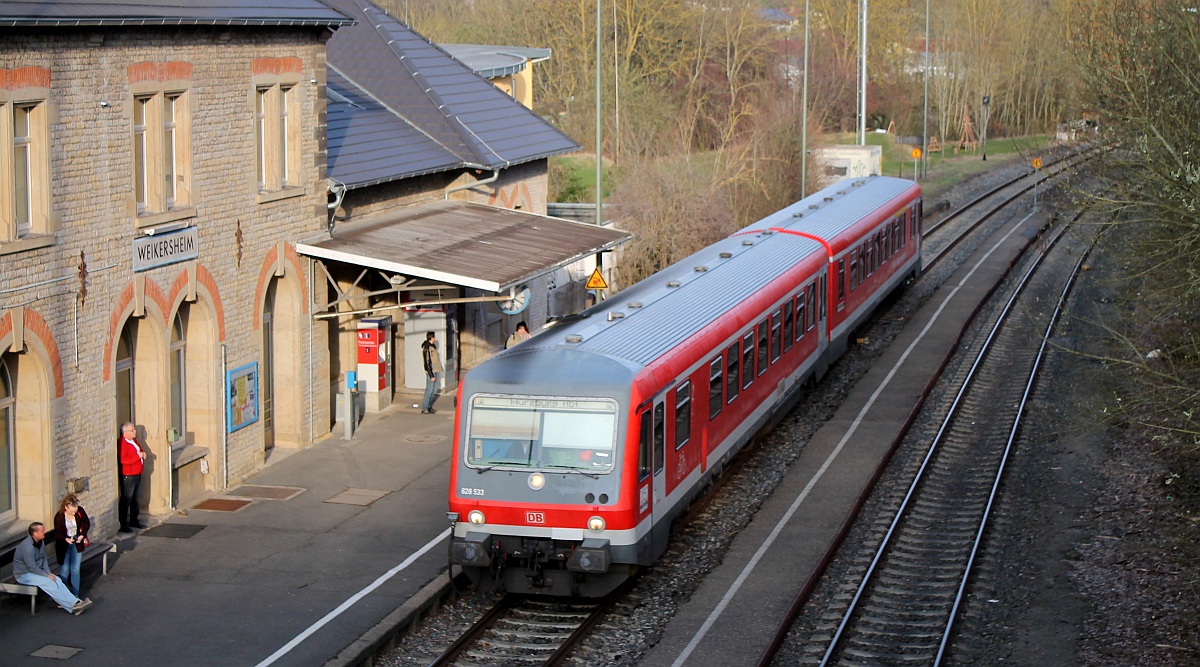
(542, 432)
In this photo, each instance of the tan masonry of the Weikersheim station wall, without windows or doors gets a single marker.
(92, 195)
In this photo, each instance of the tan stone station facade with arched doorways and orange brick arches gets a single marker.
(70, 292)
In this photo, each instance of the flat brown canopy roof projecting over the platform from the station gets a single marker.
(465, 244)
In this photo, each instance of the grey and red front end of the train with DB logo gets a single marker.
(548, 521)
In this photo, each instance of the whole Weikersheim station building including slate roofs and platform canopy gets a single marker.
(191, 209)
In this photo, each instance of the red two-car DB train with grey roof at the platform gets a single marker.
(575, 450)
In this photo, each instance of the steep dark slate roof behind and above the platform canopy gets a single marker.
(458, 119)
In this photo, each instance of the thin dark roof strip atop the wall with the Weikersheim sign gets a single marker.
(169, 13)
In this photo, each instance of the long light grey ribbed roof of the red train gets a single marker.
(647, 320)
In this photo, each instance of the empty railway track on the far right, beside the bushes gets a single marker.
(904, 609)
